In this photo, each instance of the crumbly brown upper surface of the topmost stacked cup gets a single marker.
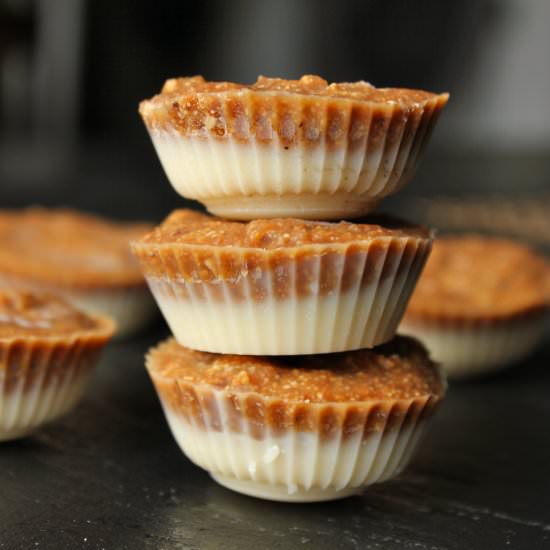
(308, 85)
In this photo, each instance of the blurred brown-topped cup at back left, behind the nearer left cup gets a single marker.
(84, 258)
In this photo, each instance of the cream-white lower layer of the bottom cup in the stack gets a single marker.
(296, 466)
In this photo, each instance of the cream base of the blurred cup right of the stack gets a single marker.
(467, 351)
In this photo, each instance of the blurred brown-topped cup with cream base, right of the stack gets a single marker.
(480, 305)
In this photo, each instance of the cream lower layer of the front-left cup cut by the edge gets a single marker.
(22, 411)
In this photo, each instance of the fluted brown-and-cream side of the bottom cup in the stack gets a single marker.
(250, 456)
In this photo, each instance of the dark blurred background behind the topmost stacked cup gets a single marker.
(72, 73)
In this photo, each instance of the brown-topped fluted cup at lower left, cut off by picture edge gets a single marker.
(47, 352)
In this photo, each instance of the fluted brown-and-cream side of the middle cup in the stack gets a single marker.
(336, 299)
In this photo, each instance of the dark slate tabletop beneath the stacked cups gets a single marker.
(109, 476)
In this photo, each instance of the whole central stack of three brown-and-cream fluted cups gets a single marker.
(285, 379)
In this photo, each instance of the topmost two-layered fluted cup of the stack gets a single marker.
(289, 148)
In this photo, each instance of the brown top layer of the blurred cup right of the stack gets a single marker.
(475, 277)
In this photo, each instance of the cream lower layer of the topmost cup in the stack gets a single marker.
(248, 181)
